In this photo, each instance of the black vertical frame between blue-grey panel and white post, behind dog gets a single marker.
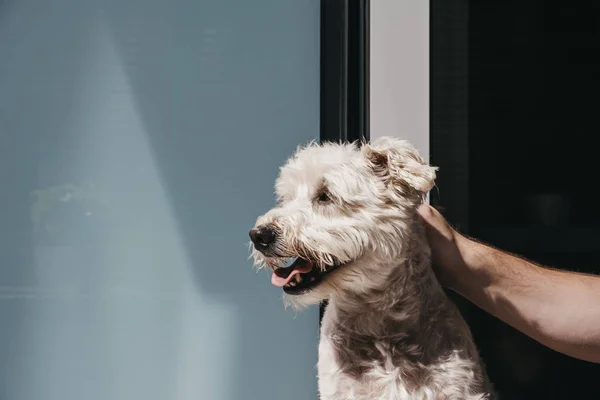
(344, 97)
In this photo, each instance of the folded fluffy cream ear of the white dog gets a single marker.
(399, 163)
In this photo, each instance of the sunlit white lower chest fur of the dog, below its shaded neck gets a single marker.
(348, 370)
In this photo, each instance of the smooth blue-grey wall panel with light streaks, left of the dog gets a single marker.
(169, 118)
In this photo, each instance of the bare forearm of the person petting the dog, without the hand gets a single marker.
(559, 309)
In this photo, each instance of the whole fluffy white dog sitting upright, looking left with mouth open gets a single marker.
(347, 215)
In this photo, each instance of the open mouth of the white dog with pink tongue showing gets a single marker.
(300, 277)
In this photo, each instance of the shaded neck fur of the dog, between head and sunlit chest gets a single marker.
(406, 312)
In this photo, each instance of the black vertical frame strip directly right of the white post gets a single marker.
(449, 106)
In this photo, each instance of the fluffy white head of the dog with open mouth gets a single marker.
(343, 216)
